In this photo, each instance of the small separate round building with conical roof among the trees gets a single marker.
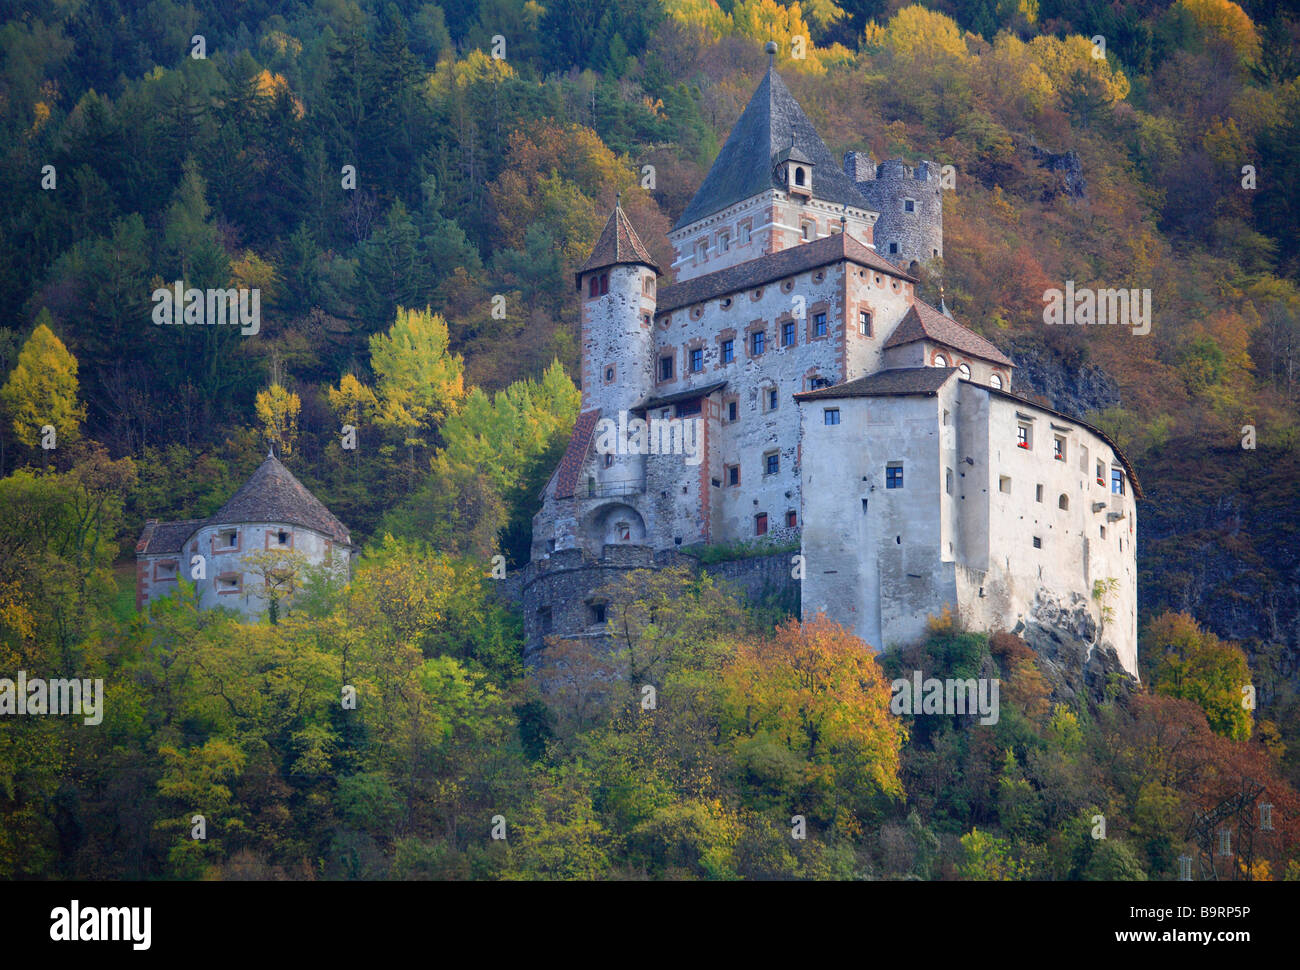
(227, 555)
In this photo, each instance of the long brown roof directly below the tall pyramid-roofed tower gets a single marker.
(777, 266)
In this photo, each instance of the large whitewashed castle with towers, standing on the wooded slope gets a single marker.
(791, 388)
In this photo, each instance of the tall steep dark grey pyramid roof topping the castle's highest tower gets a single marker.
(746, 166)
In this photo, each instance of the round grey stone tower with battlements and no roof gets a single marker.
(911, 201)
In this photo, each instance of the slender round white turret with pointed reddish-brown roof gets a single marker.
(618, 287)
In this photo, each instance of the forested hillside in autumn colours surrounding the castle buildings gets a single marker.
(410, 188)
